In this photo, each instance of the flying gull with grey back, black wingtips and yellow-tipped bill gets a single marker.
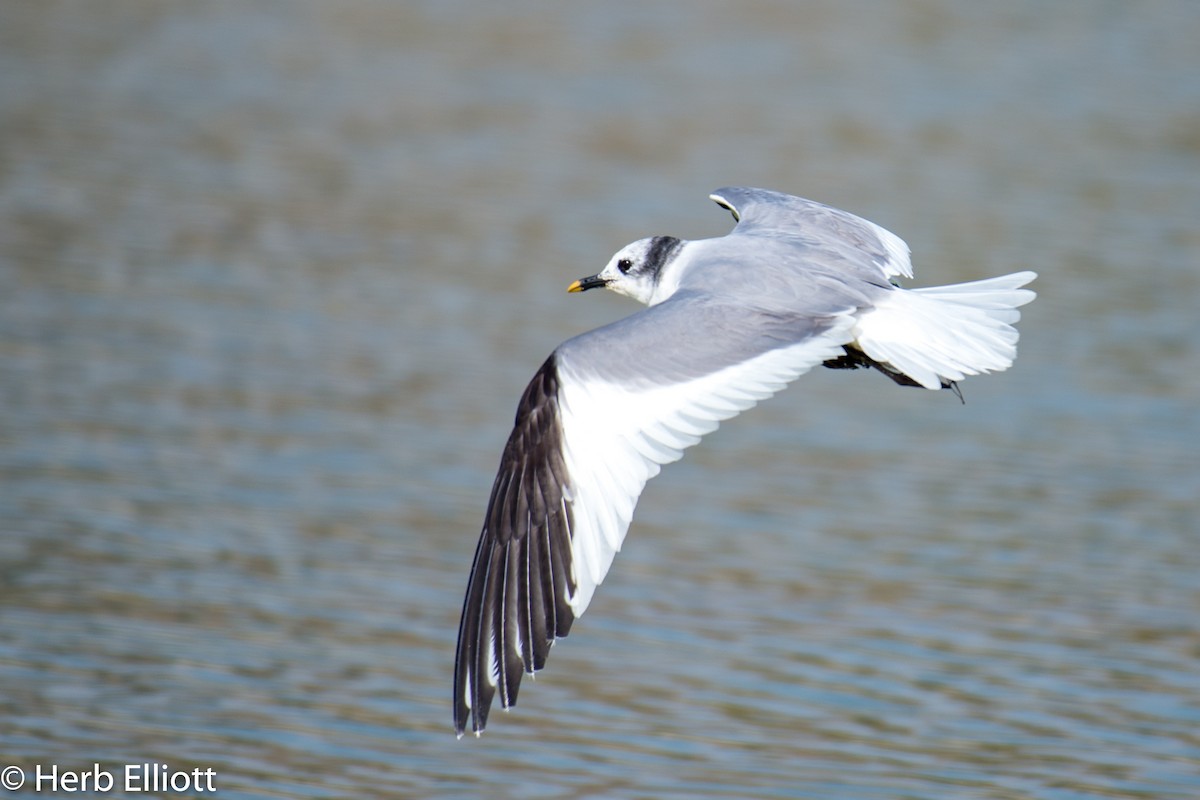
(730, 322)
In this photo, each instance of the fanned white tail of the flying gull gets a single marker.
(945, 334)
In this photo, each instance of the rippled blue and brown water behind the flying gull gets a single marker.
(274, 276)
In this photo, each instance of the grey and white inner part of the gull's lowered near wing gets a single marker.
(623, 418)
